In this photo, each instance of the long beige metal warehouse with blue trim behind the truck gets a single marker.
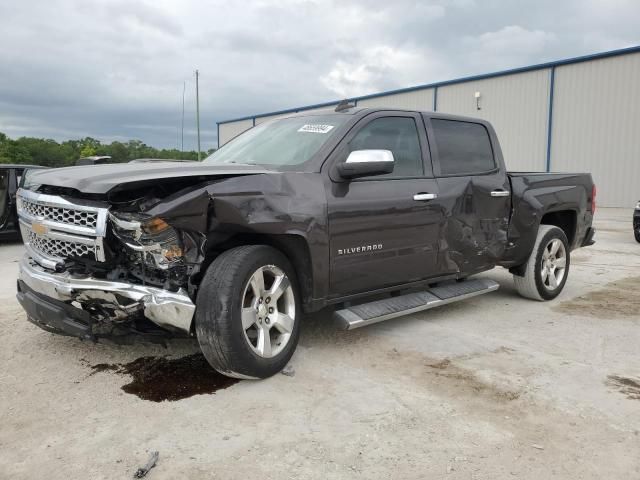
(581, 114)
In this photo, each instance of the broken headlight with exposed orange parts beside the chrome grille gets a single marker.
(157, 243)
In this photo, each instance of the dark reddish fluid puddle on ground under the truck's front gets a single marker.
(159, 378)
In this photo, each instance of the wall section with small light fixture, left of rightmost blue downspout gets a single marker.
(516, 106)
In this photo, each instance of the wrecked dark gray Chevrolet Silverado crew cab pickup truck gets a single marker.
(316, 209)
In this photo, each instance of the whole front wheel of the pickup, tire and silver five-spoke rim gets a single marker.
(248, 312)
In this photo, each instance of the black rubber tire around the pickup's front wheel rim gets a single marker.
(218, 317)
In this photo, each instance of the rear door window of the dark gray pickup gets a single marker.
(463, 147)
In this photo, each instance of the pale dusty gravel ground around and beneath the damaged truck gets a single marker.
(494, 387)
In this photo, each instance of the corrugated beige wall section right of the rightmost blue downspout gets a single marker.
(596, 125)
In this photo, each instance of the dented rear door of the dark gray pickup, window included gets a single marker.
(474, 192)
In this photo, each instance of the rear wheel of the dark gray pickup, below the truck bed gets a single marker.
(547, 269)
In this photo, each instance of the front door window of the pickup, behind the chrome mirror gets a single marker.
(397, 134)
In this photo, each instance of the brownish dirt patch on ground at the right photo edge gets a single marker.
(616, 299)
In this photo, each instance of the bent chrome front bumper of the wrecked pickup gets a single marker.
(170, 310)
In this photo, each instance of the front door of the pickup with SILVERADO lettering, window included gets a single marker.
(384, 229)
